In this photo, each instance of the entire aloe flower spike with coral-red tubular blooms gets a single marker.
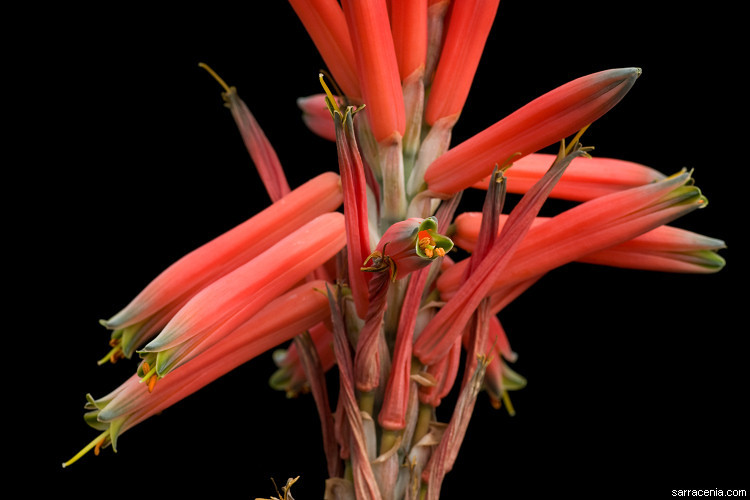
(415, 285)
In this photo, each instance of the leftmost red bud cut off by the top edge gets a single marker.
(325, 23)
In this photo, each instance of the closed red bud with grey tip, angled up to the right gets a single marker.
(546, 120)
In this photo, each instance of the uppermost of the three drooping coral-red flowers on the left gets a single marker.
(151, 309)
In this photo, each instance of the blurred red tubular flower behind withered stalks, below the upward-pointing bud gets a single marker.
(584, 179)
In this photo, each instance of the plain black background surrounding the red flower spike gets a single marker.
(637, 381)
